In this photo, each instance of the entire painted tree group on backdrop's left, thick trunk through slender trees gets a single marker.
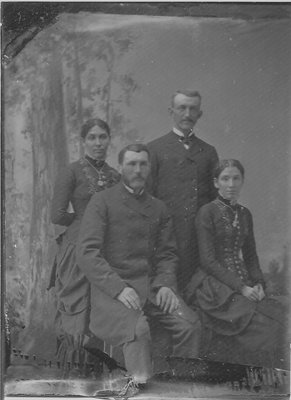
(55, 83)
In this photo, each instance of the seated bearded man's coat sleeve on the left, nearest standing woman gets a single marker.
(90, 247)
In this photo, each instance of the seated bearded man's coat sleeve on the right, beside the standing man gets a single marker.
(165, 259)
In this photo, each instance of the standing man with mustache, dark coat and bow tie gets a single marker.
(181, 176)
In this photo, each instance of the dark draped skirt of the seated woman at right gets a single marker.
(241, 331)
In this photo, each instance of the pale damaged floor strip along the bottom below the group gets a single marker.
(28, 379)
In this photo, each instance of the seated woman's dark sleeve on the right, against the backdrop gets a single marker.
(250, 255)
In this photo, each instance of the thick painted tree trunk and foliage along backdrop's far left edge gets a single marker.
(33, 105)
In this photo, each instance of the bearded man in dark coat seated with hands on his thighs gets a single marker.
(127, 250)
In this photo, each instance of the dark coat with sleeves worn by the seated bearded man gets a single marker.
(124, 241)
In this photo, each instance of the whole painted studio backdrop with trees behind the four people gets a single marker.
(124, 69)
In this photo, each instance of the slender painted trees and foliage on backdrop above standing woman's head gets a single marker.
(107, 84)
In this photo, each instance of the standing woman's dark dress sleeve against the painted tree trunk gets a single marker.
(63, 191)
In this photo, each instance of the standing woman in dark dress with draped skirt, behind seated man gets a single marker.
(74, 188)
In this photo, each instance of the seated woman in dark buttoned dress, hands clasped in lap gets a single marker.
(242, 324)
